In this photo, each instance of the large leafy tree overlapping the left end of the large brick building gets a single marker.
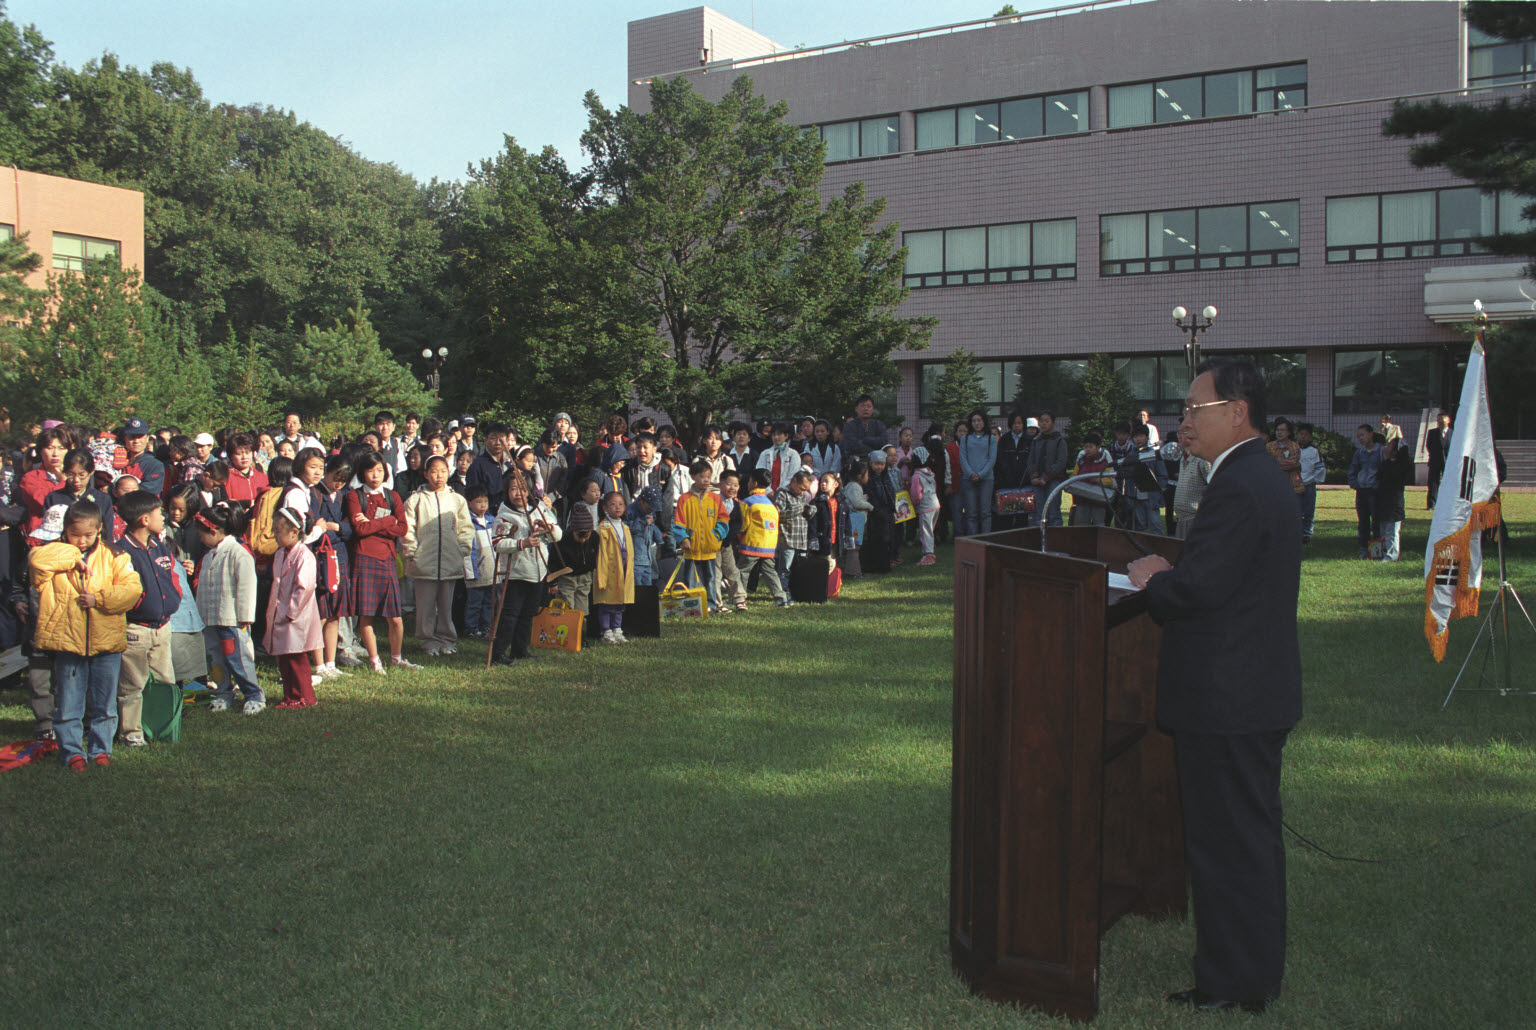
(763, 294)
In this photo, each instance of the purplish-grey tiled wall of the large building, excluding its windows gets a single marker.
(1359, 58)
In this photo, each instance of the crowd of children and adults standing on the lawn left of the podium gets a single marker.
(185, 556)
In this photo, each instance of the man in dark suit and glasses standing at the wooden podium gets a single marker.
(1230, 687)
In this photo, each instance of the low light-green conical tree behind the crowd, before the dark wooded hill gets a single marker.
(343, 374)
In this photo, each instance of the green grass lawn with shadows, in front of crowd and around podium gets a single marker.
(743, 825)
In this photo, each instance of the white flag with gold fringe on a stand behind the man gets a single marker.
(1466, 507)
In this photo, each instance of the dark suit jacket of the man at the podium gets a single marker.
(1231, 662)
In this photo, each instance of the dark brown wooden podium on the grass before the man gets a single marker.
(1065, 791)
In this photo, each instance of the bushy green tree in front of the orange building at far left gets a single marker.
(96, 348)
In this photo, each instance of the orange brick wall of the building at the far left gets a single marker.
(44, 205)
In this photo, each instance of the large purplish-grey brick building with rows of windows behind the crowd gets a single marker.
(1065, 179)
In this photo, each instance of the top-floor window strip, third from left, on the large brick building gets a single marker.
(1214, 96)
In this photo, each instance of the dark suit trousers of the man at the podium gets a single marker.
(1230, 787)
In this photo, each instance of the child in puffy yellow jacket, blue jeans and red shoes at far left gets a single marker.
(84, 592)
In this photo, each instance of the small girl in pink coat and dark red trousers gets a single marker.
(293, 616)
